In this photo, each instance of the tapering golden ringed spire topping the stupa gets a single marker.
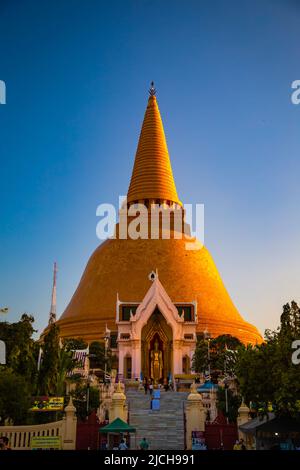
(152, 176)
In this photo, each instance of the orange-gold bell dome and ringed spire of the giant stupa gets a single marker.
(119, 268)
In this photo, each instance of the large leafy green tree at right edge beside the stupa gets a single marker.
(266, 373)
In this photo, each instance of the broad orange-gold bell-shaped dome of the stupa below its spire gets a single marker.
(123, 266)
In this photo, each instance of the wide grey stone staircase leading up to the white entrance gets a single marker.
(163, 429)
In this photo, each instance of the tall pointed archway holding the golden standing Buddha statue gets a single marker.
(157, 348)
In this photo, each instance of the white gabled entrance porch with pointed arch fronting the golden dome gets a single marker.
(156, 338)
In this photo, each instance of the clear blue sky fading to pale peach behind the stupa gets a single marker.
(77, 74)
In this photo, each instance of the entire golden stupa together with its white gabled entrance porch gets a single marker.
(153, 295)
